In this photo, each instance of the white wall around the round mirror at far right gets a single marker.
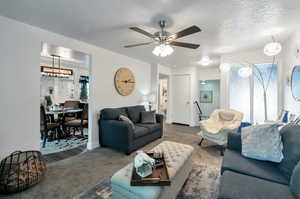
(290, 59)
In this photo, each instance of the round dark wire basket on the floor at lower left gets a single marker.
(21, 170)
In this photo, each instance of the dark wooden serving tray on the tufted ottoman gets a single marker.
(159, 176)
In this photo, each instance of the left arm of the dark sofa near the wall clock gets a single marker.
(116, 133)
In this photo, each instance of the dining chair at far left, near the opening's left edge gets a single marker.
(46, 126)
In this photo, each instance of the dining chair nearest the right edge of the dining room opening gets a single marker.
(78, 124)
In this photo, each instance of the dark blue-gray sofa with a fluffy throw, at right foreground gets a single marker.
(245, 178)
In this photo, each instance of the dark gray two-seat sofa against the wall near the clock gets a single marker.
(121, 135)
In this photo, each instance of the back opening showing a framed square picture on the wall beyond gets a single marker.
(209, 97)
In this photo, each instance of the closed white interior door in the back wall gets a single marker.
(181, 99)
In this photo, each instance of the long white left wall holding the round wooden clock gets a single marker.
(20, 83)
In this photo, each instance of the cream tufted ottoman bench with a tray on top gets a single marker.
(179, 162)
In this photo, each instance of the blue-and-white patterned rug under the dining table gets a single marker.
(63, 145)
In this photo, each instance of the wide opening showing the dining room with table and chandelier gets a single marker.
(64, 98)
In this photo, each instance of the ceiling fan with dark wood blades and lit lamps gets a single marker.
(165, 38)
